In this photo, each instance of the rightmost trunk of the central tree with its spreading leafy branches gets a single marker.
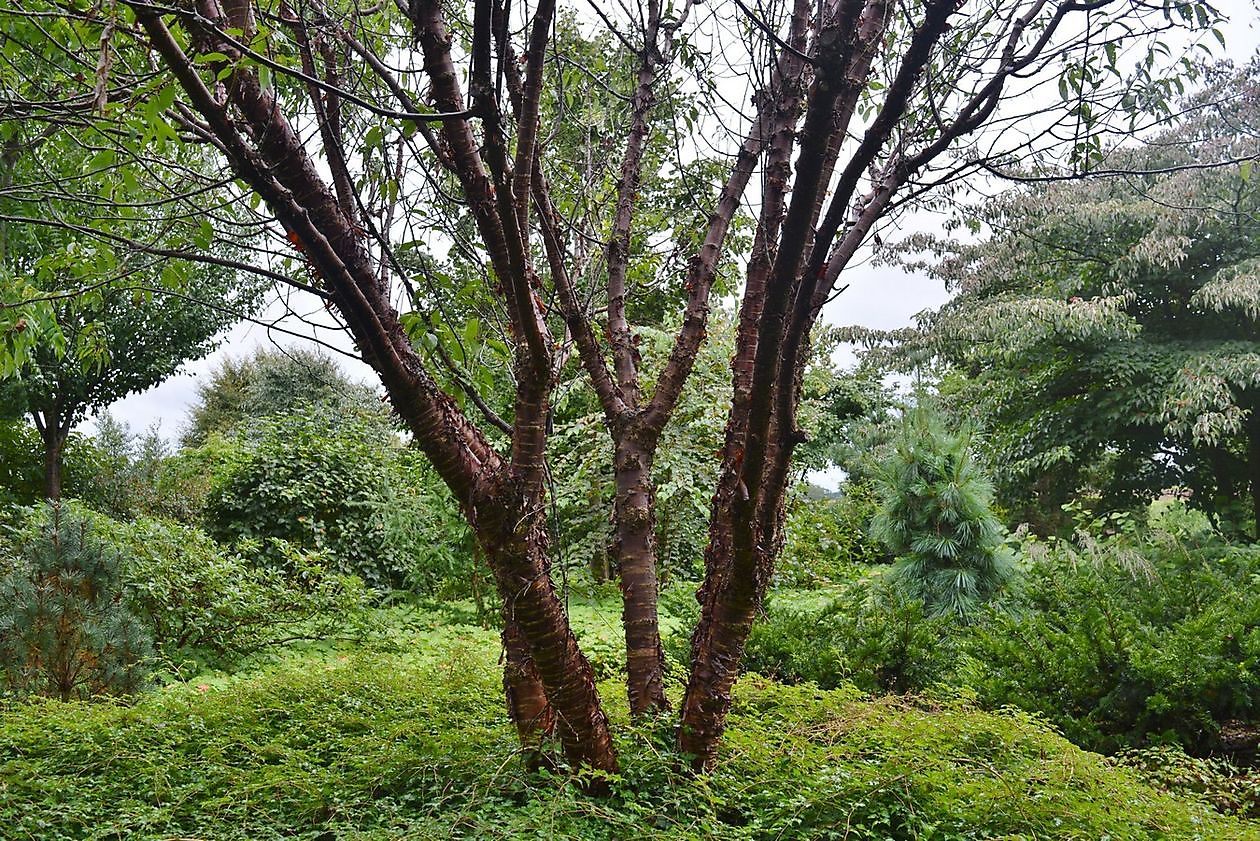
(896, 103)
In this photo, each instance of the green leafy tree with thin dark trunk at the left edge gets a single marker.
(98, 298)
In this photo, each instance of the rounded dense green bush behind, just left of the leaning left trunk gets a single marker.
(347, 490)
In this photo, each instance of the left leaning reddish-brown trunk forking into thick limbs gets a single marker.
(503, 499)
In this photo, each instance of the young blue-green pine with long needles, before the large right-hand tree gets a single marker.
(936, 518)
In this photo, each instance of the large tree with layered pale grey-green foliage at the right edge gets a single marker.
(1107, 333)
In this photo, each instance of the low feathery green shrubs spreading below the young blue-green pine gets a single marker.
(1145, 637)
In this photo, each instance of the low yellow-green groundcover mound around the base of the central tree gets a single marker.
(387, 747)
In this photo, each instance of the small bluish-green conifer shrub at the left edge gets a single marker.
(66, 630)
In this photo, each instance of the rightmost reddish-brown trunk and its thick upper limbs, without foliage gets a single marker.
(793, 270)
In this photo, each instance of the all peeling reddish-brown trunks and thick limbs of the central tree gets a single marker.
(802, 245)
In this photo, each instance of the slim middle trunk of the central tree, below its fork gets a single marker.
(637, 560)
